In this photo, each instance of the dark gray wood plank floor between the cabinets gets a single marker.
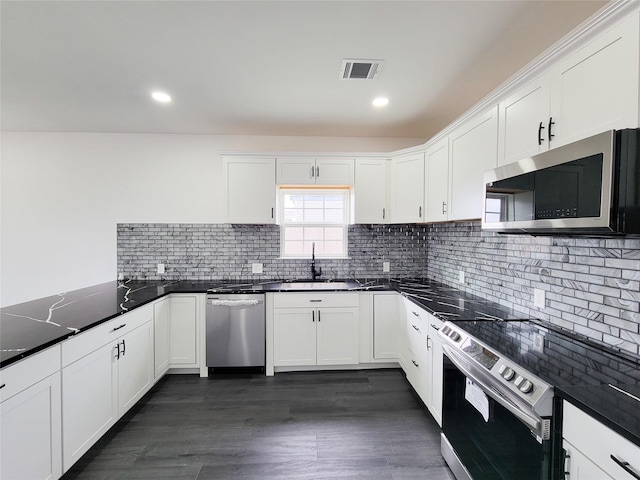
(323, 425)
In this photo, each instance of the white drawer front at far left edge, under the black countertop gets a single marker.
(27, 372)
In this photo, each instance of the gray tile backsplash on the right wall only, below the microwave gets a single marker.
(592, 284)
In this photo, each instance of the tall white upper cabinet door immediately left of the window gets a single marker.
(250, 189)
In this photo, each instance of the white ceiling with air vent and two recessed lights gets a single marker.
(264, 67)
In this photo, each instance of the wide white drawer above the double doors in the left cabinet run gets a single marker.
(86, 342)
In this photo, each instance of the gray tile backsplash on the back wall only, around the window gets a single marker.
(226, 252)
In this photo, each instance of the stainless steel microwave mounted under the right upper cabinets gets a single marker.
(589, 187)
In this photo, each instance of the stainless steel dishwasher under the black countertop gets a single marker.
(235, 330)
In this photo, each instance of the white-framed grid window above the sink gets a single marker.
(313, 217)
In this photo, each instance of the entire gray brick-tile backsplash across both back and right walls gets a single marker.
(592, 285)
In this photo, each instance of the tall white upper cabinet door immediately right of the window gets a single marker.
(370, 191)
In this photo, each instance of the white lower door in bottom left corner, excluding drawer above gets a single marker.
(30, 432)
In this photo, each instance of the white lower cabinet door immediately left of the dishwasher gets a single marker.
(183, 331)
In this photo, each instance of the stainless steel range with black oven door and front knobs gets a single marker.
(496, 414)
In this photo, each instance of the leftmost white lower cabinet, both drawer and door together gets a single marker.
(30, 419)
